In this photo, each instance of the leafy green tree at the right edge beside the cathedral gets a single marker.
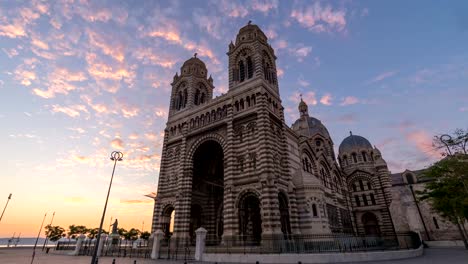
(447, 190)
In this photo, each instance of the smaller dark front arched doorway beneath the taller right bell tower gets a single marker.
(250, 220)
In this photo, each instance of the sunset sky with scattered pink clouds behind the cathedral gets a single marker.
(80, 79)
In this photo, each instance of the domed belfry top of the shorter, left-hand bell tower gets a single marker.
(191, 88)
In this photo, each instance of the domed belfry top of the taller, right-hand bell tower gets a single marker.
(251, 58)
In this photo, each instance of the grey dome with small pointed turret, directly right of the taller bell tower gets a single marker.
(308, 126)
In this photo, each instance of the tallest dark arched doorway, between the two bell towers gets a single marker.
(207, 190)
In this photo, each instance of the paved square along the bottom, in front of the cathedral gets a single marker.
(23, 256)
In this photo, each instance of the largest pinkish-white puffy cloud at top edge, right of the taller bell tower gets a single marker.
(318, 18)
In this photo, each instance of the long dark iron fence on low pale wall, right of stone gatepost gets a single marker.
(326, 243)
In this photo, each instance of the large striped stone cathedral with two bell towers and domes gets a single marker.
(232, 165)
